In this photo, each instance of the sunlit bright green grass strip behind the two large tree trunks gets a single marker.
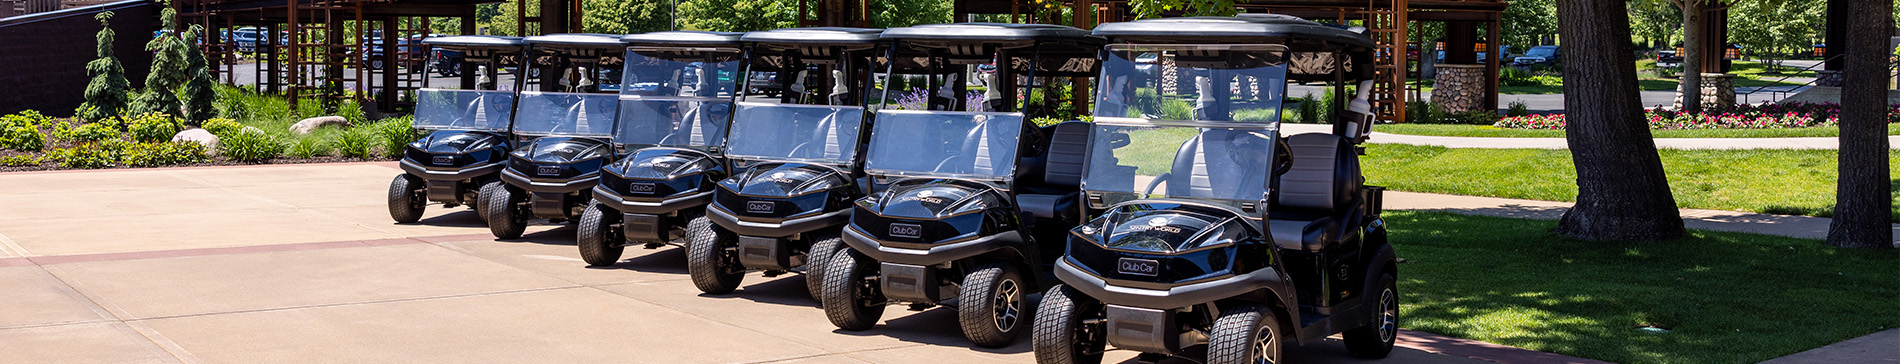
(1758, 181)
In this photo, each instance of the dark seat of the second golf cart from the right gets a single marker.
(1069, 151)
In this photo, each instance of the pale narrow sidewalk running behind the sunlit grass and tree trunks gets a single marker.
(1806, 143)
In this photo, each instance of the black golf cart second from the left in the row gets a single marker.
(569, 132)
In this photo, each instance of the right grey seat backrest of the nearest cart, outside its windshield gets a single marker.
(1323, 177)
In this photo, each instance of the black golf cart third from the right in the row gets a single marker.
(799, 162)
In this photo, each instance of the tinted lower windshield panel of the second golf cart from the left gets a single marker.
(582, 115)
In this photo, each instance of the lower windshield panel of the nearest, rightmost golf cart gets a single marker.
(1149, 160)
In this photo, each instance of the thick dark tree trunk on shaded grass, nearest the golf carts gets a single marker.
(1622, 191)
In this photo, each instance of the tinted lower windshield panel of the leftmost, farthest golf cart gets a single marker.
(465, 109)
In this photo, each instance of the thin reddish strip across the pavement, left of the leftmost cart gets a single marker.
(155, 255)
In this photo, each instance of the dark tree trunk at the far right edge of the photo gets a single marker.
(1863, 202)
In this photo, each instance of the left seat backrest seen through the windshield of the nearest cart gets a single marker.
(1221, 164)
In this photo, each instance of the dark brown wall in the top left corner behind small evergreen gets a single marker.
(43, 56)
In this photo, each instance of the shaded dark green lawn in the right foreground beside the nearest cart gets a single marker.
(1722, 297)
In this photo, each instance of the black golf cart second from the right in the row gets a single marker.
(970, 208)
